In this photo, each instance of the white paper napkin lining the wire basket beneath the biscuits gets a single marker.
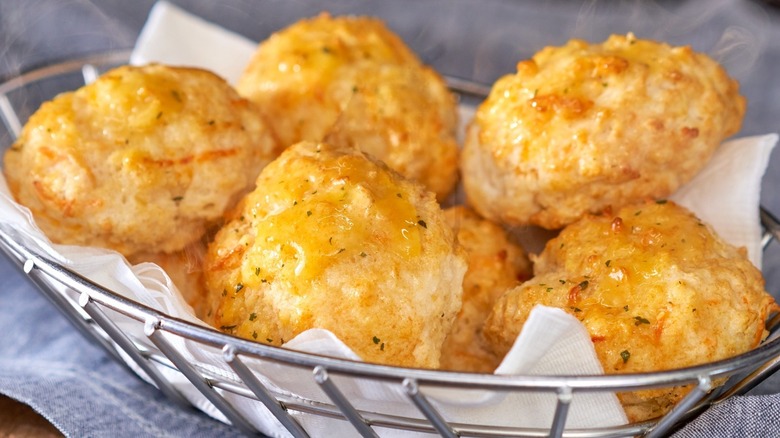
(552, 342)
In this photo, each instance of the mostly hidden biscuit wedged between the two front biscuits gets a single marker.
(495, 265)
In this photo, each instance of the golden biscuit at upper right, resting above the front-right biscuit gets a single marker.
(583, 127)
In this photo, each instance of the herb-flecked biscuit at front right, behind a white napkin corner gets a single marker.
(656, 288)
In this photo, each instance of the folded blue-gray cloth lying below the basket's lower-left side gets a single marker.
(77, 386)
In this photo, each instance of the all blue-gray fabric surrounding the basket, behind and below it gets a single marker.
(45, 363)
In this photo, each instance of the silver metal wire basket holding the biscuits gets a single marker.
(145, 339)
